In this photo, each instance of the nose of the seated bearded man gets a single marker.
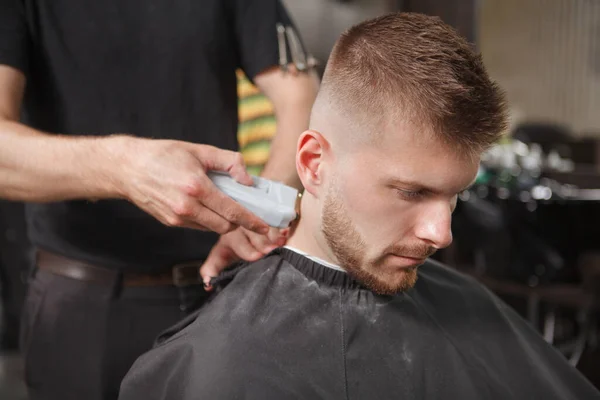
(435, 226)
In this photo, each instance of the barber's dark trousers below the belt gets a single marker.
(79, 338)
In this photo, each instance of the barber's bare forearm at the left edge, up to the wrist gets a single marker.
(38, 167)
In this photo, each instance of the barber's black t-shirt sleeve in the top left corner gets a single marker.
(14, 40)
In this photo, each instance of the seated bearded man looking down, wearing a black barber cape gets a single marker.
(351, 307)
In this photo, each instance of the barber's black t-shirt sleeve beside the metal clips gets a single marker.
(256, 33)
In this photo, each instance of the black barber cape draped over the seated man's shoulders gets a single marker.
(286, 327)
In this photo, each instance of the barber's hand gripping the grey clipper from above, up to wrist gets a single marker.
(167, 179)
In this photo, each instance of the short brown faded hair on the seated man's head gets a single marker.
(414, 67)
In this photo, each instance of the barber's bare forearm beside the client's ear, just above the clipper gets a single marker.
(282, 160)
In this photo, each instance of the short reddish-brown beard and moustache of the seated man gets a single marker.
(350, 249)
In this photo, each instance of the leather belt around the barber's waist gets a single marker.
(180, 275)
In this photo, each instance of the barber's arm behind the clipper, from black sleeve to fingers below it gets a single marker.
(292, 94)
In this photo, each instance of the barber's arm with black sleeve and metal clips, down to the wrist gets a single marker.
(256, 28)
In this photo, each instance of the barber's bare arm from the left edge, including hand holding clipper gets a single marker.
(164, 178)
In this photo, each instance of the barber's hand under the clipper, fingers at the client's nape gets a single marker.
(237, 245)
